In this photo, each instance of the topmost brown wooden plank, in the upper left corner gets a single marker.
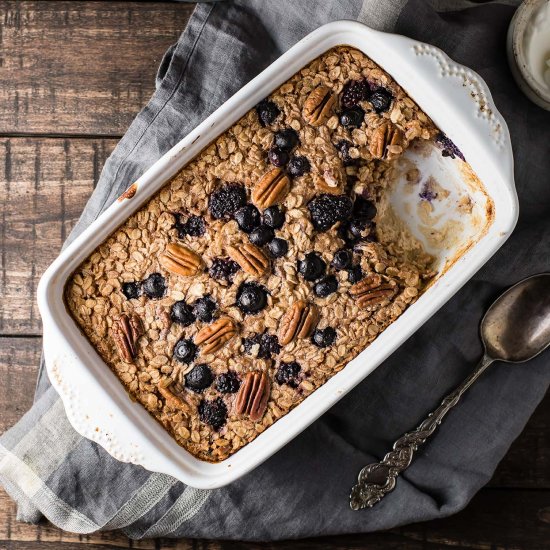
(83, 68)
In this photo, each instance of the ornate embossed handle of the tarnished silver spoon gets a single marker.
(376, 480)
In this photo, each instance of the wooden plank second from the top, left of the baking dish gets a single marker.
(44, 184)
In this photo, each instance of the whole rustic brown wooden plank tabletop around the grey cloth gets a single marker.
(72, 77)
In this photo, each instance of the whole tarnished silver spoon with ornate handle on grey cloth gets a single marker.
(515, 329)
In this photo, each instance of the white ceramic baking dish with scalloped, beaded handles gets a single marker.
(97, 404)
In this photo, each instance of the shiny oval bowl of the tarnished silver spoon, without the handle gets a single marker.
(516, 327)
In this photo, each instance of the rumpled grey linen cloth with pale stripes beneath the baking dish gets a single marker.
(303, 490)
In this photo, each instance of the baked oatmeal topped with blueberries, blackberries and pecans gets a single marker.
(258, 271)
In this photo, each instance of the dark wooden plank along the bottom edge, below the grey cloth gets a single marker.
(494, 519)
